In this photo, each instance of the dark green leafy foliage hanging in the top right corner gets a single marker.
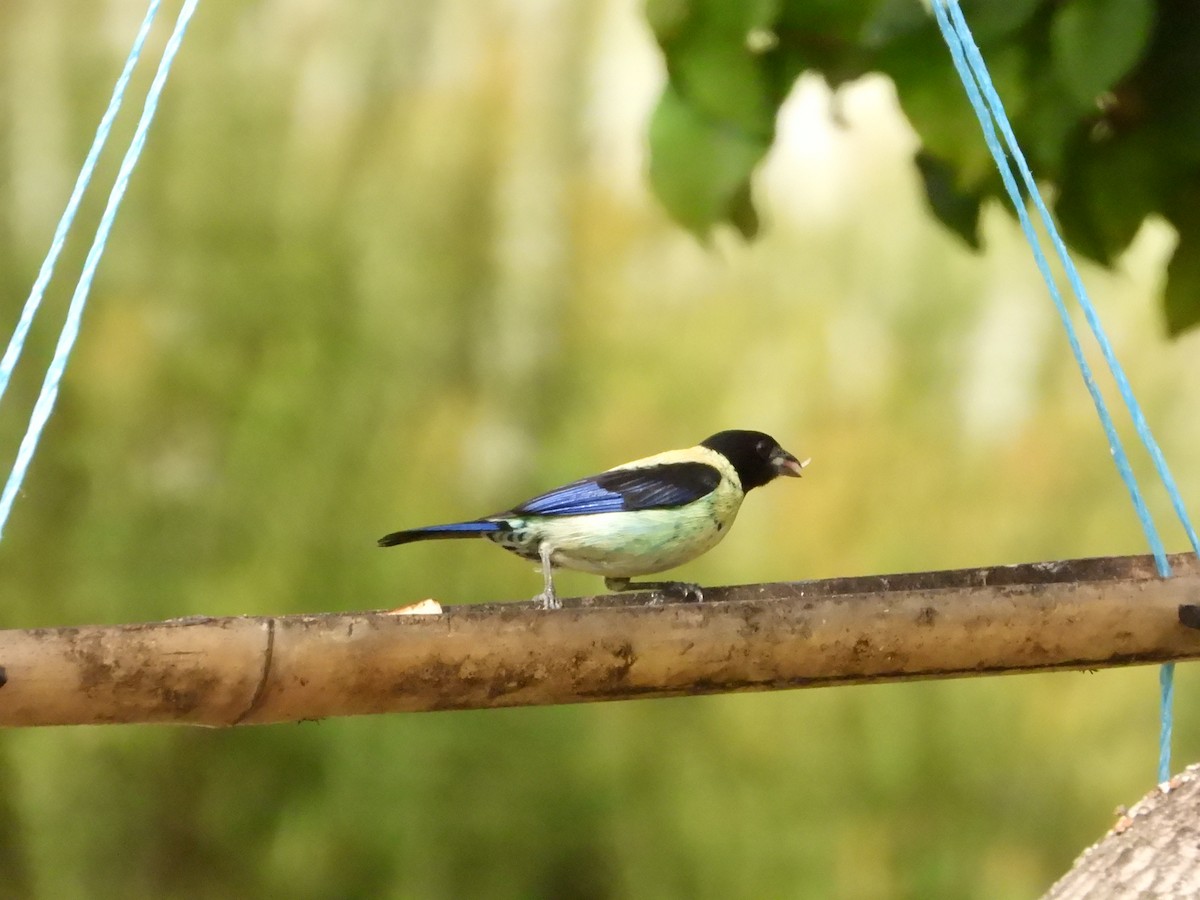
(1103, 95)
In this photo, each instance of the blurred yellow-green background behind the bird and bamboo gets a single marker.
(395, 262)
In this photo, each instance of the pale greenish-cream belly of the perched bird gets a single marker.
(621, 545)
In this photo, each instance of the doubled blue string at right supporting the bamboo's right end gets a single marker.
(974, 74)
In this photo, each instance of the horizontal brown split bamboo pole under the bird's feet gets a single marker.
(1088, 614)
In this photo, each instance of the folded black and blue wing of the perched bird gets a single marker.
(664, 487)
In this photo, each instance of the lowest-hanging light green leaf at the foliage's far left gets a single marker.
(700, 169)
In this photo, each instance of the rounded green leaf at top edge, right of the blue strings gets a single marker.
(1096, 43)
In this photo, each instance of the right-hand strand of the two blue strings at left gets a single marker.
(45, 405)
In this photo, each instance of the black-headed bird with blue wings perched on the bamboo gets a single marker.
(639, 519)
